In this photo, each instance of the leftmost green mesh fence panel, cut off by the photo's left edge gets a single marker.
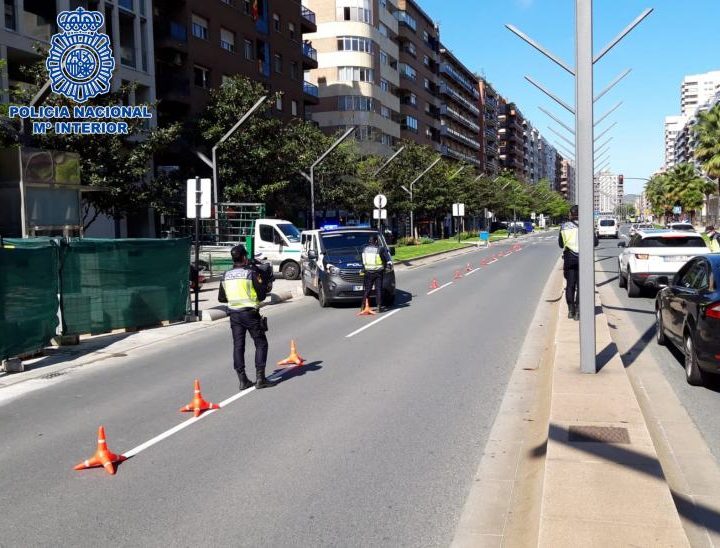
(28, 296)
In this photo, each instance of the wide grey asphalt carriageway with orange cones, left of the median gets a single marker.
(373, 443)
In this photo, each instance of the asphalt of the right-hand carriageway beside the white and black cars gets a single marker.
(702, 403)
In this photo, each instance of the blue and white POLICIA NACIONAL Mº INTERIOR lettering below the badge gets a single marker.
(82, 120)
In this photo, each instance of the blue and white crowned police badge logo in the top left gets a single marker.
(80, 62)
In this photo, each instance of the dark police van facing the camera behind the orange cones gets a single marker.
(332, 265)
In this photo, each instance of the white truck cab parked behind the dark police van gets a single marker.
(278, 241)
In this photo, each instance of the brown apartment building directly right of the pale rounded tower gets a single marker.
(419, 40)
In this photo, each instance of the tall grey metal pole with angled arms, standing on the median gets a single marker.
(584, 143)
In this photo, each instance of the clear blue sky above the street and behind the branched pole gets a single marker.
(678, 38)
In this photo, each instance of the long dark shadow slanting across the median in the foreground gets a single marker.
(696, 512)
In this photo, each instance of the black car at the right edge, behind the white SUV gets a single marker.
(687, 314)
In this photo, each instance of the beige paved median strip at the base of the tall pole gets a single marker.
(603, 485)
